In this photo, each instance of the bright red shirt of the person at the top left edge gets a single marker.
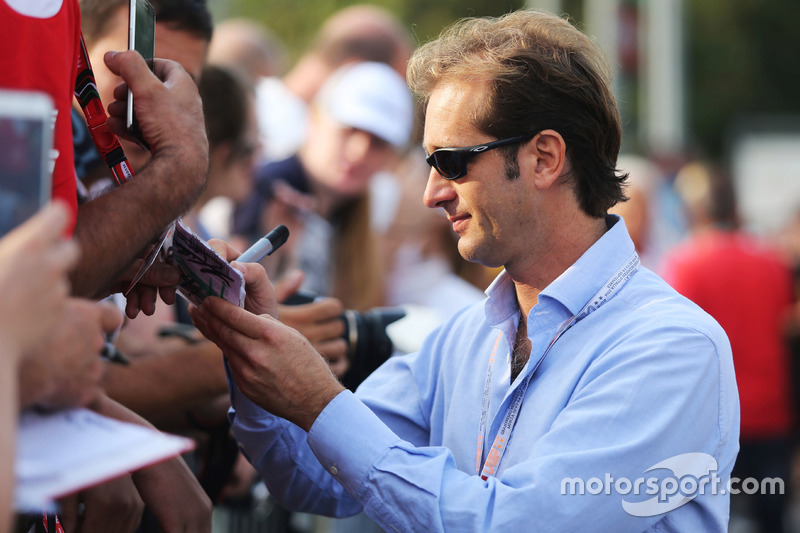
(39, 40)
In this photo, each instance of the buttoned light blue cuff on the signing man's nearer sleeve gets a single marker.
(348, 438)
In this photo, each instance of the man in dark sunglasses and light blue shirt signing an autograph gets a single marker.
(583, 394)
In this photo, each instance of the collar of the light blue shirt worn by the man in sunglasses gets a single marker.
(576, 285)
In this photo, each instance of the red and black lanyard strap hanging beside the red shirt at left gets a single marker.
(105, 141)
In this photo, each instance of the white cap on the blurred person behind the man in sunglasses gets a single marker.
(372, 97)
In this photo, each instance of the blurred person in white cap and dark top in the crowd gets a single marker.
(360, 121)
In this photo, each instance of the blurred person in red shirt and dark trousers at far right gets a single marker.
(747, 287)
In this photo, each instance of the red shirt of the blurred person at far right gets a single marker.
(749, 291)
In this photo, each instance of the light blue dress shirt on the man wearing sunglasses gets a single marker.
(646, 380)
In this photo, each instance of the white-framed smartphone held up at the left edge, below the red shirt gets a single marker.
(27, 157)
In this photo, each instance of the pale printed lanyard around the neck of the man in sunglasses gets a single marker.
(503, 436)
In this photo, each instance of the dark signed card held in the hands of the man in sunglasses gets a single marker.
(203, 271)
